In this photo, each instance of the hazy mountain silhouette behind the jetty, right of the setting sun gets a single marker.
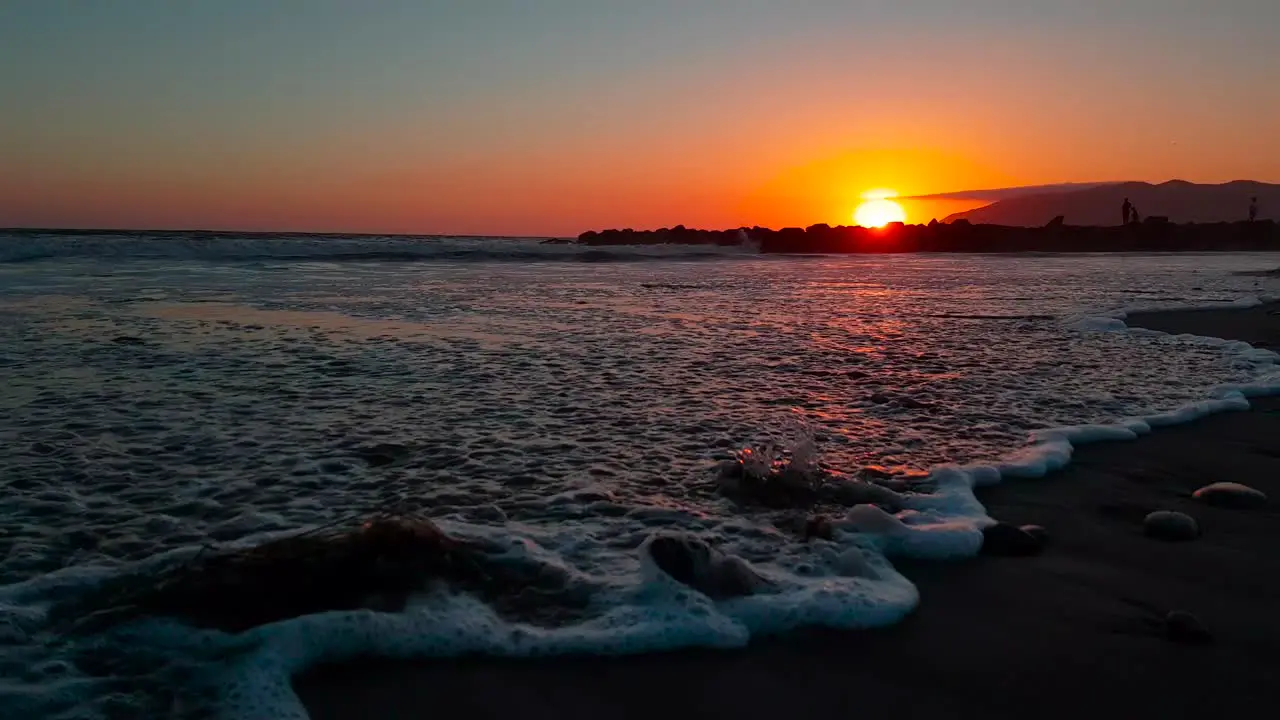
(1178, 200)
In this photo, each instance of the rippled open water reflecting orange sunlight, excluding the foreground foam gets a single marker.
(168, 402)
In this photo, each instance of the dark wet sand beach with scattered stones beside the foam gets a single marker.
(1053, 636)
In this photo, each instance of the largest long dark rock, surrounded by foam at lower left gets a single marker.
(377, 564)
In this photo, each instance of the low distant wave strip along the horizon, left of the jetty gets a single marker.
(36, 248)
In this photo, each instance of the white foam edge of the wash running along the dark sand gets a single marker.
(660, 614)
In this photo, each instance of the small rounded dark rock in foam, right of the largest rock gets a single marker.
(691, 562)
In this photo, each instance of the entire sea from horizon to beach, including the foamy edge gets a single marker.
(167, 393)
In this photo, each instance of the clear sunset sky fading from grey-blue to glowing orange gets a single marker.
(552, 117)
